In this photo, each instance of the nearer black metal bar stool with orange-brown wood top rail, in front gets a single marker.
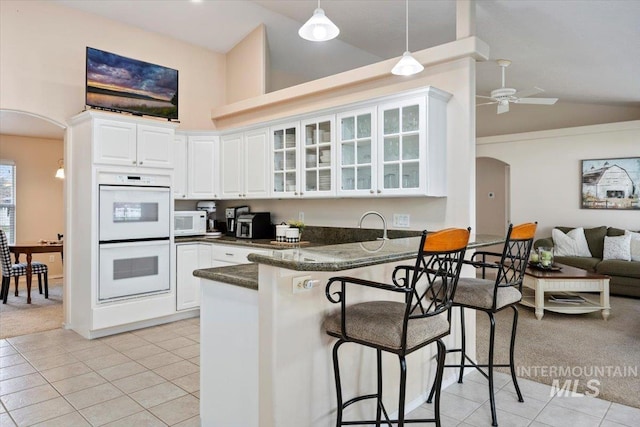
(400, 327)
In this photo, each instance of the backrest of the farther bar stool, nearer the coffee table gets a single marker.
(515, 255)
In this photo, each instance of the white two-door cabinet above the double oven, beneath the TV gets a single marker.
(127, 143)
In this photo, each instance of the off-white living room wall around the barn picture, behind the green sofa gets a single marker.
(546, 176)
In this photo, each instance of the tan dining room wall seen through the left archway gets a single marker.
(39, 198)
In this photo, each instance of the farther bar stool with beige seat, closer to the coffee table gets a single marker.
(492, 296)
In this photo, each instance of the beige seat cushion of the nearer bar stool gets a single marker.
(380, 323)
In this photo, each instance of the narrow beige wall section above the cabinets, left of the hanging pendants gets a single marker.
(246, 67)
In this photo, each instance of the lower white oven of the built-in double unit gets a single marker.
(133, 269)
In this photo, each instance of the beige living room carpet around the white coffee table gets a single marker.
(580, 352)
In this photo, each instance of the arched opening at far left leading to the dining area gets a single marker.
(35, 145)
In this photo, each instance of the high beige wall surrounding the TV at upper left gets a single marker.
(42, 61)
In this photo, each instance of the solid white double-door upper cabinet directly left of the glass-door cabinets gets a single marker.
(244, 171)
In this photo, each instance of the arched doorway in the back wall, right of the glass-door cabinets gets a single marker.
(493, 205)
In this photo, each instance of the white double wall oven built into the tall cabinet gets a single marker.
(134, 234)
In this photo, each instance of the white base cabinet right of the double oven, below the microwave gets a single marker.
(190, 257)
